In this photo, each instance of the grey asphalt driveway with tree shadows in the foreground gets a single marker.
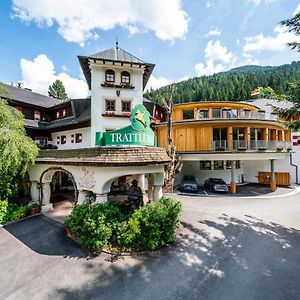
(227, 249)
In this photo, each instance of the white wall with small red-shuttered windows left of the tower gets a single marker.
(86, 138)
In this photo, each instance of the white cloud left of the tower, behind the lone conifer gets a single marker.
(39, 73)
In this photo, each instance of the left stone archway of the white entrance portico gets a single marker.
(46, 183)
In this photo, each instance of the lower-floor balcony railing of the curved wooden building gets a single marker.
(243, 145)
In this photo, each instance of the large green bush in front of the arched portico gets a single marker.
(148, 228)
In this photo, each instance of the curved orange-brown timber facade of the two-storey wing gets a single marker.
(204, 134)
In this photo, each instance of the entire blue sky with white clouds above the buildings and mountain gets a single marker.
(40, 40)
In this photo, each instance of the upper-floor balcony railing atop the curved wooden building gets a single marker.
(234, 114)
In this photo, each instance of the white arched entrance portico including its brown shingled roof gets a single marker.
(94, 170)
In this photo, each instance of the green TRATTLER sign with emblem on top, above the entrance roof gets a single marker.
(138, 133)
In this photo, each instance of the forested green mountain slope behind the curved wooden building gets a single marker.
(233, 85)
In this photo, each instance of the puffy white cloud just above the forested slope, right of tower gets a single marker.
(217, 58)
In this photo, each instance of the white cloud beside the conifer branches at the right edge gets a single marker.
(277, 42)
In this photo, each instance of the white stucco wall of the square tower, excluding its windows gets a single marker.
(99, 94)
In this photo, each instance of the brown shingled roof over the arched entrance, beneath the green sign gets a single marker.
(106, 156)
